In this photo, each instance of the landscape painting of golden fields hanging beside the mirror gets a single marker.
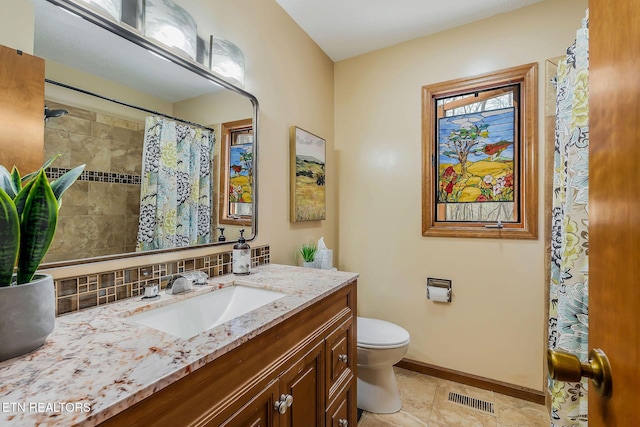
(307, 180)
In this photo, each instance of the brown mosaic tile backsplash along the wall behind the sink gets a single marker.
(80, 292)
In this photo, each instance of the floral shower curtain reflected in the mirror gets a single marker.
(175, 196)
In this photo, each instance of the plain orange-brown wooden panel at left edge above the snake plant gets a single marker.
(21, 110)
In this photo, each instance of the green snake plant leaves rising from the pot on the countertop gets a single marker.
(28, 217)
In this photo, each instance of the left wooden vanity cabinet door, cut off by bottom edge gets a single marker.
(258, 412)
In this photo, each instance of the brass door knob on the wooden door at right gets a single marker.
(567, 367)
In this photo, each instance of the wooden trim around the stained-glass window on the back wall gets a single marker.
(527, 226)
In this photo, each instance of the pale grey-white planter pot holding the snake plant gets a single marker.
(27, 316)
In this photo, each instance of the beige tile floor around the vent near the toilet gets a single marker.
(425, 403)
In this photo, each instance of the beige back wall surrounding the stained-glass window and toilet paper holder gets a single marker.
(495, 326)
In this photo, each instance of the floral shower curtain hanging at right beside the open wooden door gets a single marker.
(569, 288)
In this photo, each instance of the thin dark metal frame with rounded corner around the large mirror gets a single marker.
(139, 40)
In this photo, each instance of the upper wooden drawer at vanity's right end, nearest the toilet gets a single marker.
(341, 357)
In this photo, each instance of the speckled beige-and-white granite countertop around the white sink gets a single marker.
(95, 364)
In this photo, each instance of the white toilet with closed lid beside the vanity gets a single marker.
(381, 344)
